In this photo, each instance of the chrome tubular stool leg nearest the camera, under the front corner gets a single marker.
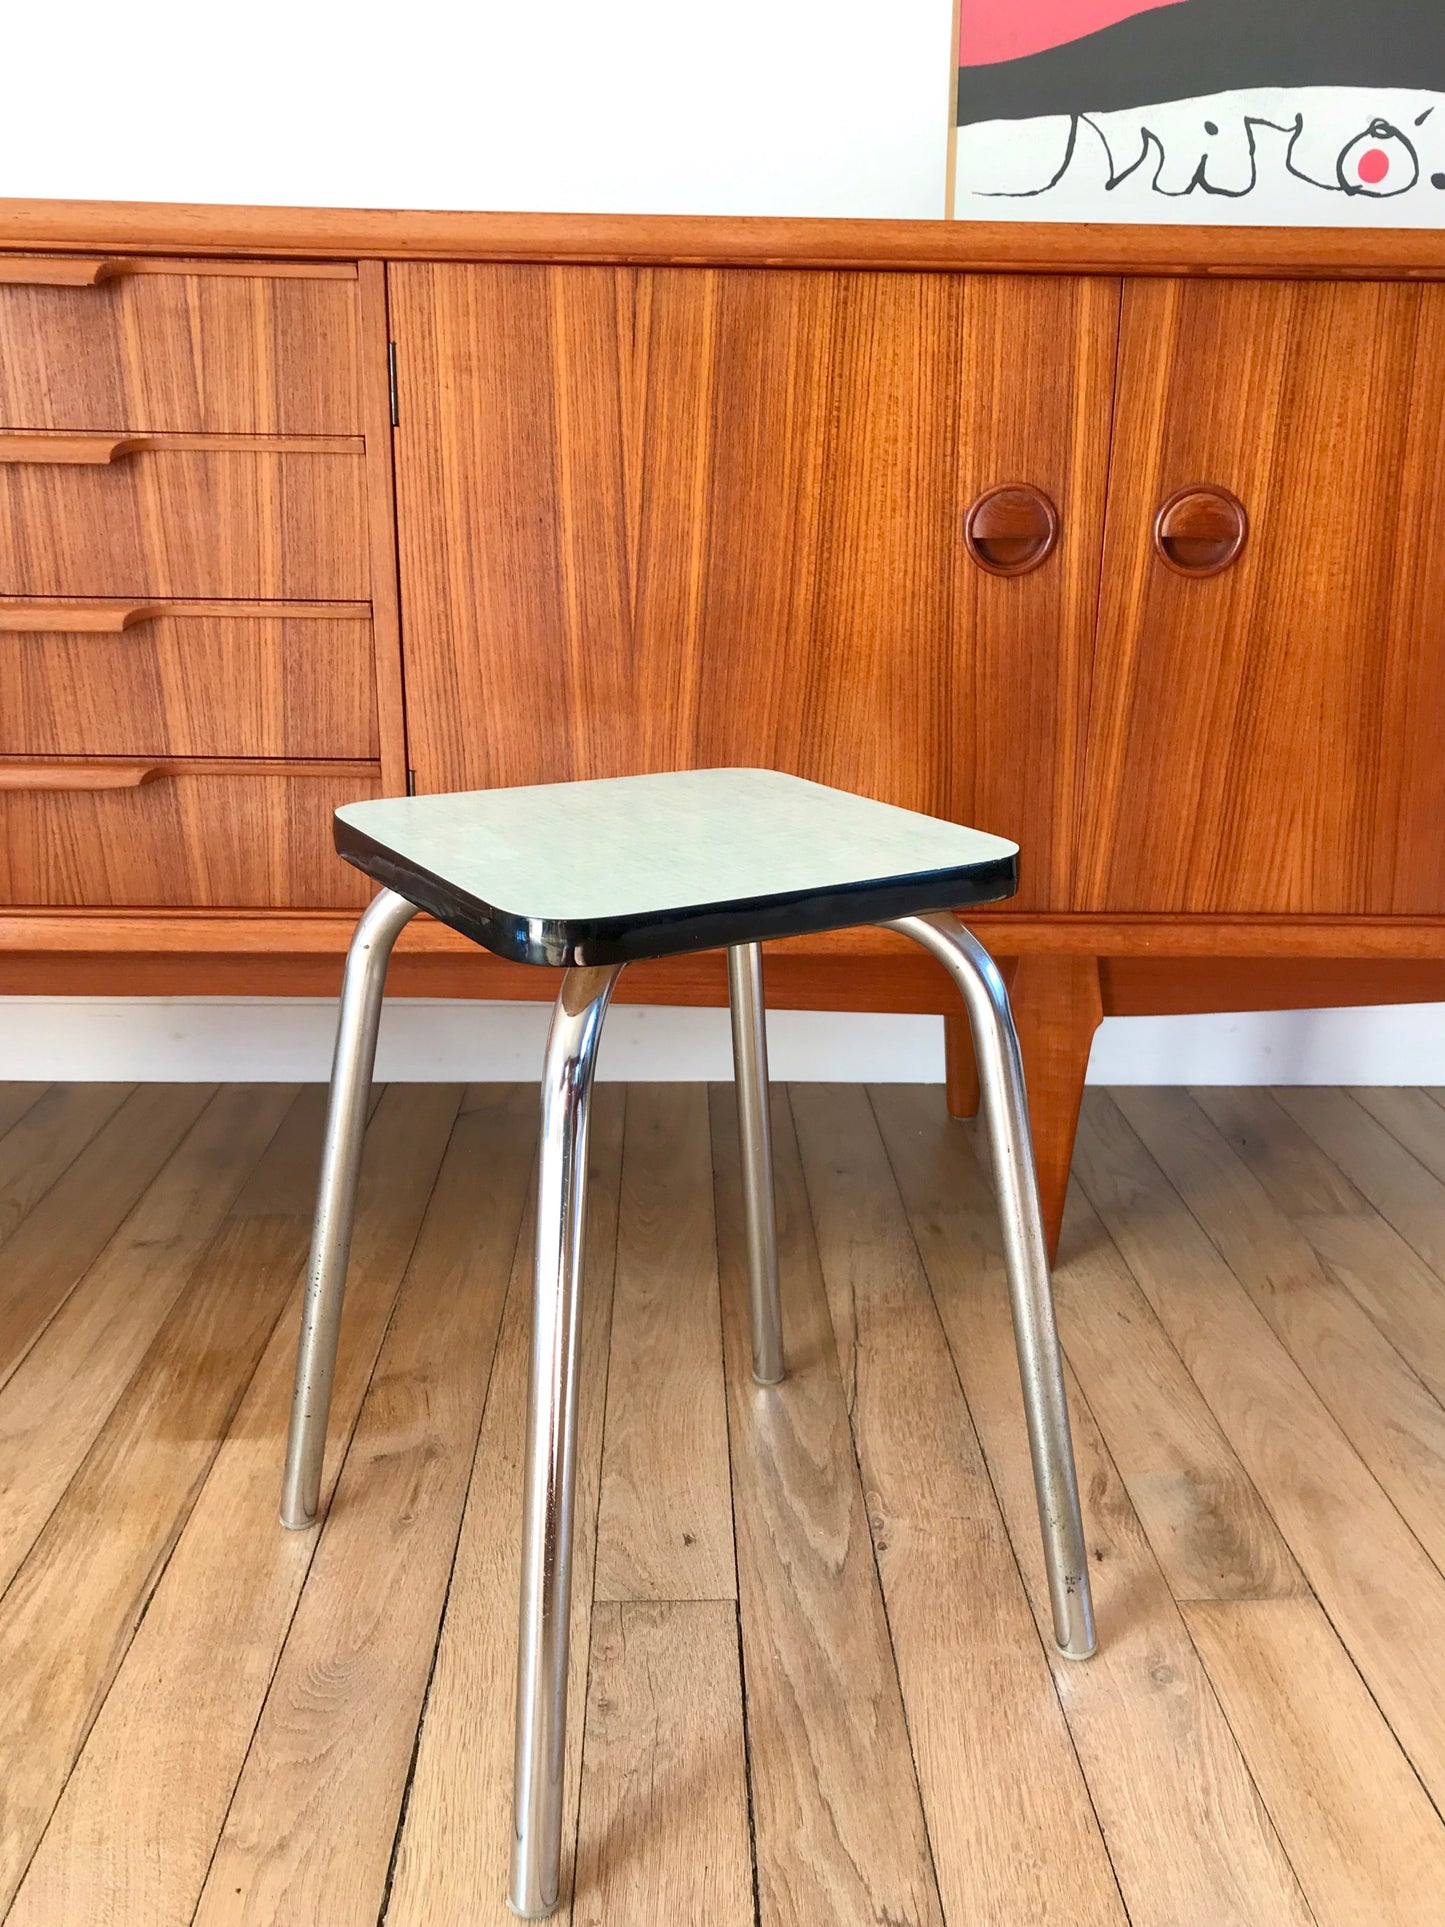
(552, 1442)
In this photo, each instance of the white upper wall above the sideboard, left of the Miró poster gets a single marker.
(648, 107)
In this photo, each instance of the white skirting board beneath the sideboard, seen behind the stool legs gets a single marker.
(290, 1040)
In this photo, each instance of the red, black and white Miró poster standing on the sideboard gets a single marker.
(1301, 113)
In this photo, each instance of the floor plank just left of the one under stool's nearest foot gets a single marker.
(317, 1805)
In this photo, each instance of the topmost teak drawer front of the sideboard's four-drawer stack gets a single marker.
(246, 350)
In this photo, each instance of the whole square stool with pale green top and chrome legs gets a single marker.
(594, 876)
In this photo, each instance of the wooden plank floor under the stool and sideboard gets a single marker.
(810, 1679)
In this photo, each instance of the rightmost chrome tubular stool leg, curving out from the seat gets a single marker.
(1026, 1255)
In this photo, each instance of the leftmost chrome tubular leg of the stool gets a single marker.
(336, 1201)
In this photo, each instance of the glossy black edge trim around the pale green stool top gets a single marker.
(668, 934)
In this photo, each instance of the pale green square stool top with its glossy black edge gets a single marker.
(633, 868)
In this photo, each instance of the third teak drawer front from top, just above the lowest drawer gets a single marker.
(188, 679)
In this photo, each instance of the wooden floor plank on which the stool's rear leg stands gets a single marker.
(824, 1691)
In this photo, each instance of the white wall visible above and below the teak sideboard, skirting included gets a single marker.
(764, 107)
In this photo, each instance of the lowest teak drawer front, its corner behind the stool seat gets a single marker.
(186, 839)
